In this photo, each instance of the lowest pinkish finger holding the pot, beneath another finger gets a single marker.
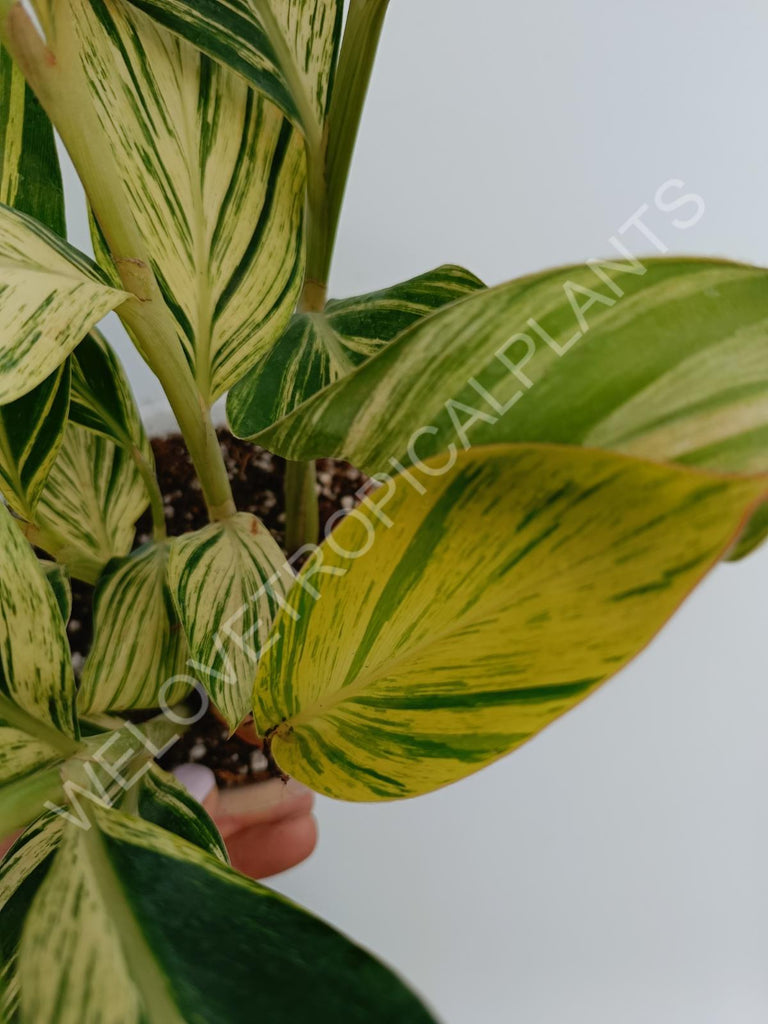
(264, 850)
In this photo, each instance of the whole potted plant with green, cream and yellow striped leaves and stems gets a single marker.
(562, 460)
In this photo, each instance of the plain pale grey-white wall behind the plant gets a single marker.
(614, 872)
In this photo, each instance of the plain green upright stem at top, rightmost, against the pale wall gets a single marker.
(362, 34)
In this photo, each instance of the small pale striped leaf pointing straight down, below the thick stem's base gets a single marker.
(228, 581)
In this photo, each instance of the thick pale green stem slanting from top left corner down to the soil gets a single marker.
(59, 84)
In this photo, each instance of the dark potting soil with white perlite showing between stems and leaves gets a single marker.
(257, 479)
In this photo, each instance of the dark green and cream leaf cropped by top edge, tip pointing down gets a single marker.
(285, 49)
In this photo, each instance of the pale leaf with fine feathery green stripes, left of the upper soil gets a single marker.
(89, 510)
